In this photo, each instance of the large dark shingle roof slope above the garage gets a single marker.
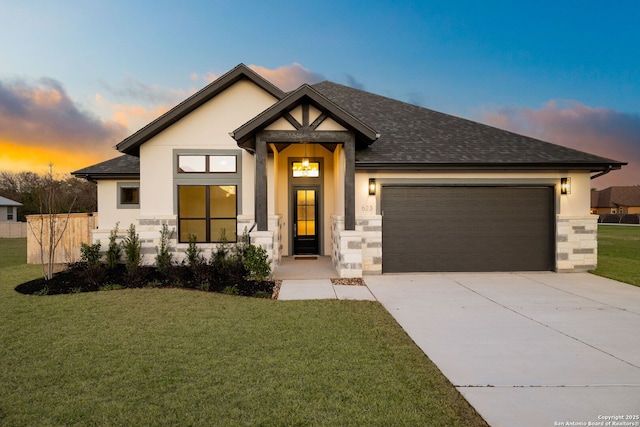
(413, 135)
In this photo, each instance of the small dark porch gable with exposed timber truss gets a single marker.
(305, 94)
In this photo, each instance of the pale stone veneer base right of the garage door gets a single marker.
(577, 243)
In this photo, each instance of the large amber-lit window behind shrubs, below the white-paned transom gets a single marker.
(207, 212)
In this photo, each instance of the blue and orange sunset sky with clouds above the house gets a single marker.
(78, 76)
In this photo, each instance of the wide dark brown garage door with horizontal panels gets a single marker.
(467, 228)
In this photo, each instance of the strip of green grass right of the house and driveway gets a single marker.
(619, 253)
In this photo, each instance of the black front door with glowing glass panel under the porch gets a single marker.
(305, 220)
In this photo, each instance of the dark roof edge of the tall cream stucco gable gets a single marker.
(131, 145)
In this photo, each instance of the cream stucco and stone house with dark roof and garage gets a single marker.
(377, 184)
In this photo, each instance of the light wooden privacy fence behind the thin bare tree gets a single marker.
(78, 231)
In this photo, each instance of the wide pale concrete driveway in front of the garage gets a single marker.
(527, 349)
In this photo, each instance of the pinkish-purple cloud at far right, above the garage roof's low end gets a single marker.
(601, 131)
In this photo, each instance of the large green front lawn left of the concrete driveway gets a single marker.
(179, 357)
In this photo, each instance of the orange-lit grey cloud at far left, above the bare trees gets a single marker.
(41, 114)
